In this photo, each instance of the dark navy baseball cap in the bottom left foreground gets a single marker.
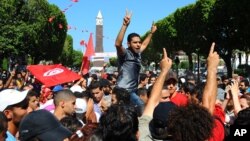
(43, 125)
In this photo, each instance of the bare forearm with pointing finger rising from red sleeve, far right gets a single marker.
(210, 90)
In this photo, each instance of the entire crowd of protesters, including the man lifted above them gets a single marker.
(125, 106)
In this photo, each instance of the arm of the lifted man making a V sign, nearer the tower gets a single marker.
(118, 42)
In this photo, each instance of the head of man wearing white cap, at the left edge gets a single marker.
(14, 105)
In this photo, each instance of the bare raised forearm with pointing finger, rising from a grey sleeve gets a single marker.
(153, 101)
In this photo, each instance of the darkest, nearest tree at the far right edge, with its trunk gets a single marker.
(231, 31)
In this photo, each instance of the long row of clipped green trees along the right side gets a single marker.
(194, 27)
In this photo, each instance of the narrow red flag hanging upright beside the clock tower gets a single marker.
(88, 53)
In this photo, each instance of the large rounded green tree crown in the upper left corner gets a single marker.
(25, 29)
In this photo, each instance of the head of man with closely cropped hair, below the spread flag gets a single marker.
(65, 100)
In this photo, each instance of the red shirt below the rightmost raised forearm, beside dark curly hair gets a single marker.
(218, 130)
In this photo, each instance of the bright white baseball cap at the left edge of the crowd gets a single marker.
(10, 97)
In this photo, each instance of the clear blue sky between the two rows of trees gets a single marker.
(81, 17)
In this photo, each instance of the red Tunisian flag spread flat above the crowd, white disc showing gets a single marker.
(51, 75)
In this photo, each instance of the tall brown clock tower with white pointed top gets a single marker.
(99, 61)
